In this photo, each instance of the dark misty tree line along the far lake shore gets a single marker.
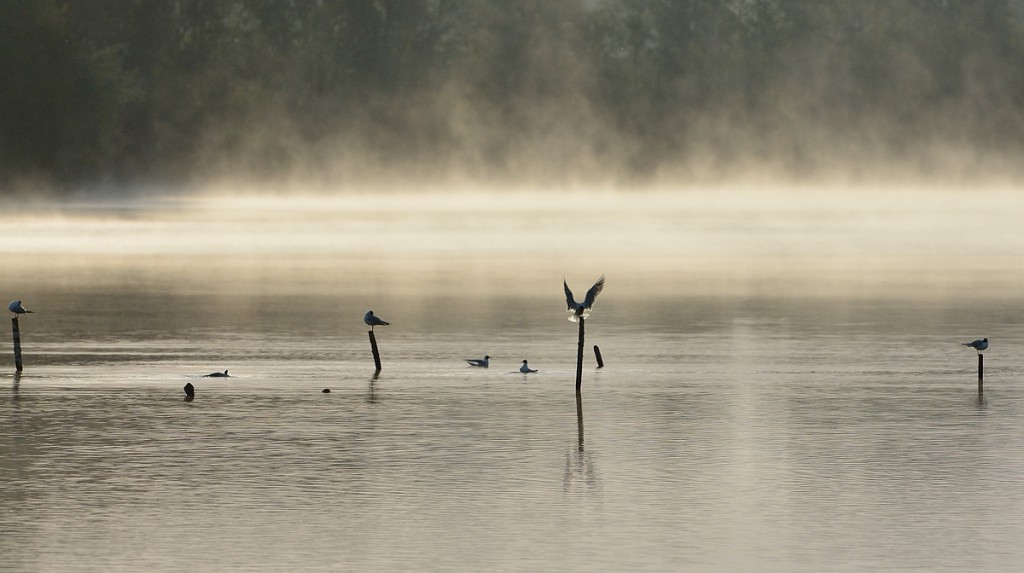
(131, 92)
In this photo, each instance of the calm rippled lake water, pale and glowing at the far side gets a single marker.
(785, 386)
